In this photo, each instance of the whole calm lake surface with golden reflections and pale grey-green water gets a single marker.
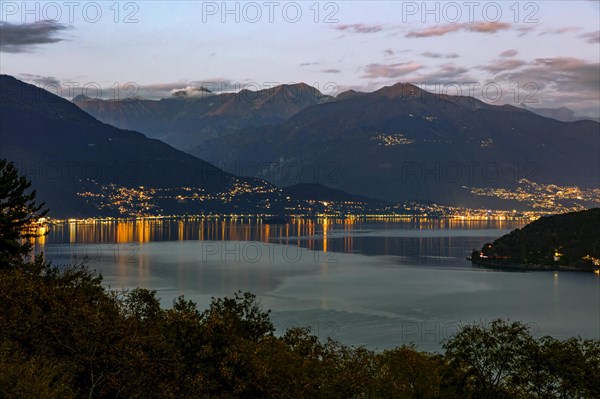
(374, 283)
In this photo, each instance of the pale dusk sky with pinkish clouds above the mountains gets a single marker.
(538, 53)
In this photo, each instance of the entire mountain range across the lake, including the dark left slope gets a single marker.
(398, 143)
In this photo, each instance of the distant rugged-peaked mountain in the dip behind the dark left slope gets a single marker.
(186, 122)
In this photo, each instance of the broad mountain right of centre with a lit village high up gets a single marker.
(401, 143)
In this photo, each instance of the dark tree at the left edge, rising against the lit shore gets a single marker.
(18, 214)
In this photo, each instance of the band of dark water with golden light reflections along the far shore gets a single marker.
(411, 238)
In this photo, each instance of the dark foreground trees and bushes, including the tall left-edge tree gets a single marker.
(64, 335)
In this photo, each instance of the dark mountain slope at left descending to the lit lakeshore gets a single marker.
(83, 167)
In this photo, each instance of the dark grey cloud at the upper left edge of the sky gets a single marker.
(19, 38)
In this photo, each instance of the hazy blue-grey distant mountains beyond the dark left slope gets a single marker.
(397, 143)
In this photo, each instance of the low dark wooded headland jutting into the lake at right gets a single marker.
(566, 240)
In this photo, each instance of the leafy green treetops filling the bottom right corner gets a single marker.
(502, 360)
